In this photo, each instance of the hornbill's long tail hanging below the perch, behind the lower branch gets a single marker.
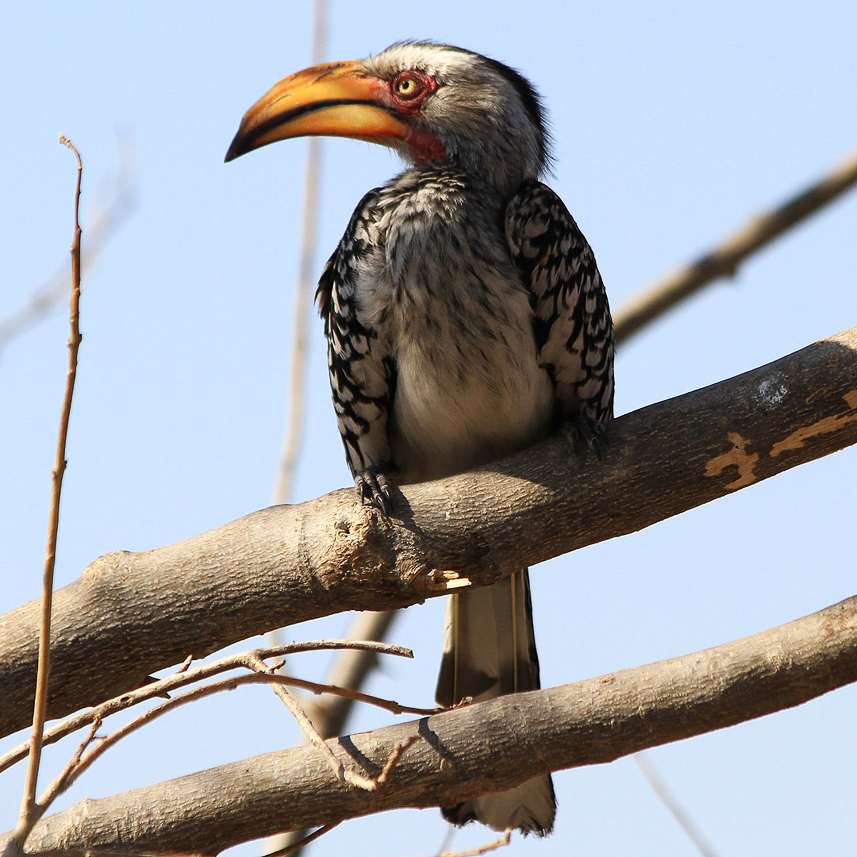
(489, 650)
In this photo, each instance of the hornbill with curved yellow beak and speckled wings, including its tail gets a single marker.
(465, 319)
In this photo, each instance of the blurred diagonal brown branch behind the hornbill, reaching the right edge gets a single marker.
(724, 259)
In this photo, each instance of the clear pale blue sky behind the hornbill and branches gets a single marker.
(673, 123)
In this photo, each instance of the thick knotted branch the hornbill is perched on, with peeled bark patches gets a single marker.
(133, 613)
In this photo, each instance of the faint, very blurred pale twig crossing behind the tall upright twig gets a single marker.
(110, 208)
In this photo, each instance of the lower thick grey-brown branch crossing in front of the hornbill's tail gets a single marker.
(475, 749)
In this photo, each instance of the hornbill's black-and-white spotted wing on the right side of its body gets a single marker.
(572, 322)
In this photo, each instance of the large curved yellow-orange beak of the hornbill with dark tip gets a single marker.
(336, 99)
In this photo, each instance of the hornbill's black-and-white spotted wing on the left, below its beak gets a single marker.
(362, 372)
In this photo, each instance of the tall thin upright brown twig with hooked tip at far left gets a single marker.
(30, 812)
